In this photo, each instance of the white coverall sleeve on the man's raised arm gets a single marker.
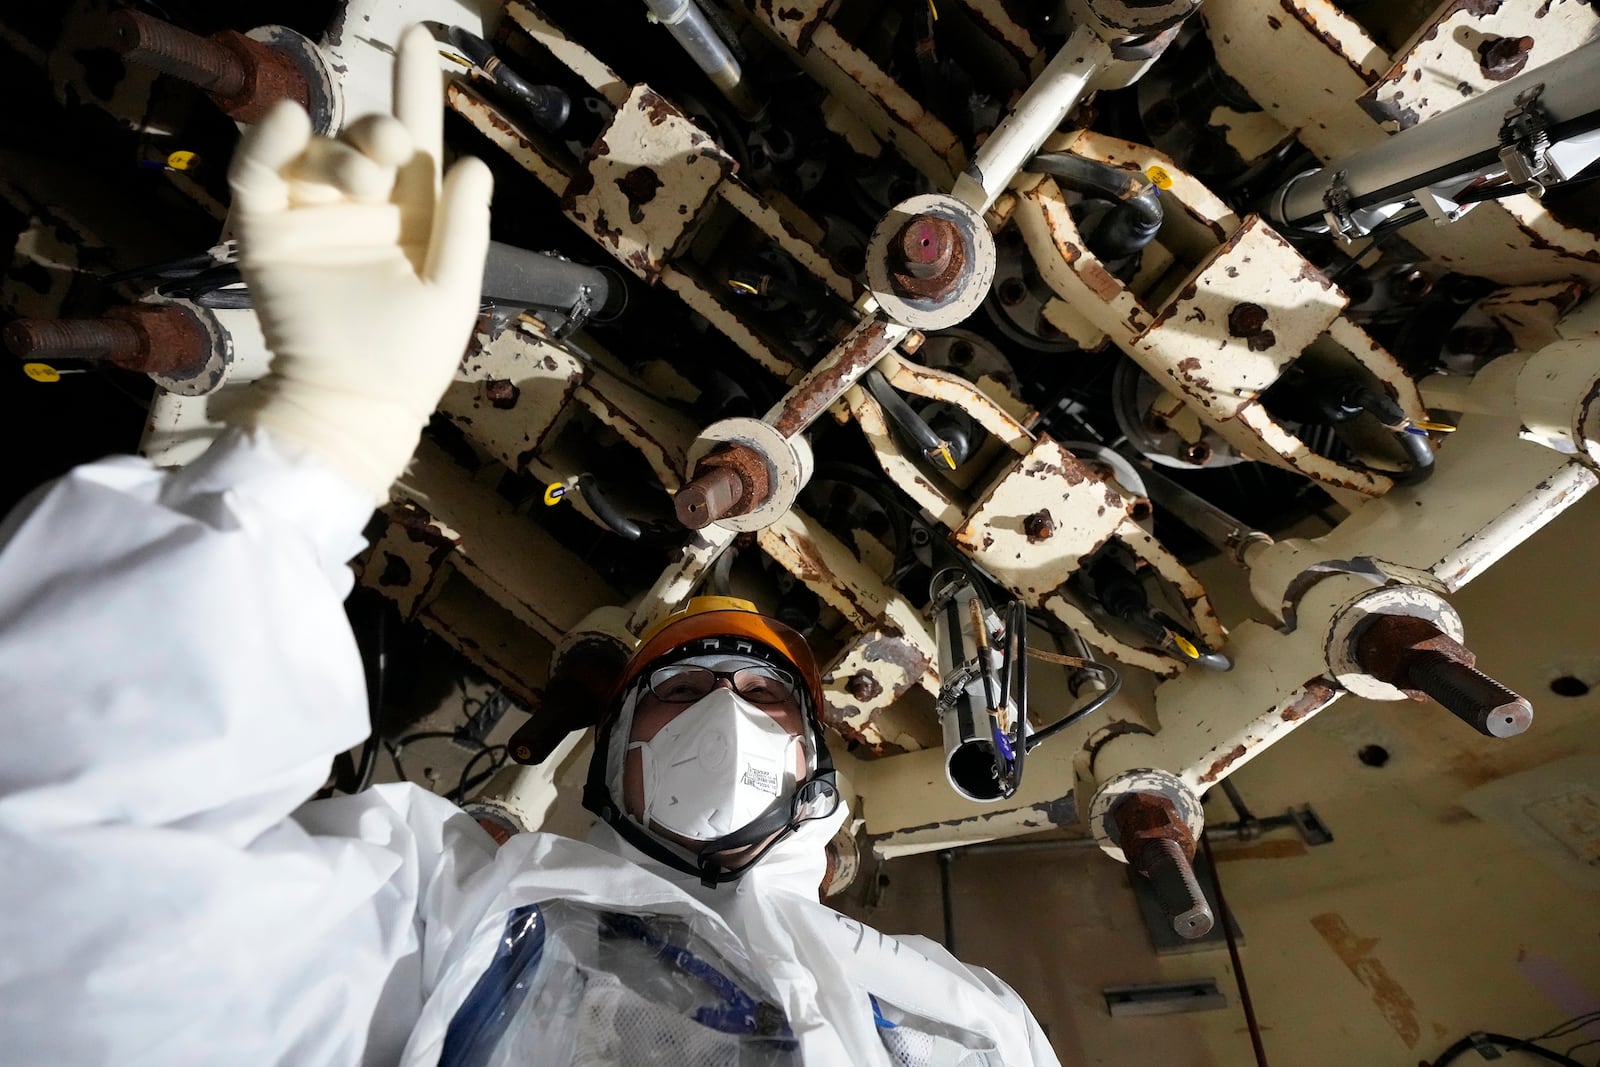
(178, 674)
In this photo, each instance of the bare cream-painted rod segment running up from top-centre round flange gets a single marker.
(1038, 116)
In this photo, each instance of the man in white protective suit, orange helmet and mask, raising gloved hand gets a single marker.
(177, 676)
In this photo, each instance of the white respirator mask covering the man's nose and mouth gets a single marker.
(716, 769)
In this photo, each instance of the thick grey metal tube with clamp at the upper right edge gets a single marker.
(1455, 145)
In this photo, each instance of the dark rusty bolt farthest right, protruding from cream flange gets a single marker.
(1418, 658)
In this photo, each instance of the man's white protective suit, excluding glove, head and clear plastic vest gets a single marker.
(178, 676)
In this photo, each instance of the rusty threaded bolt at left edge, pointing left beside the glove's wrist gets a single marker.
(148, 338)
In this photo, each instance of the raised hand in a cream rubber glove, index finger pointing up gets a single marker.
(364, 271)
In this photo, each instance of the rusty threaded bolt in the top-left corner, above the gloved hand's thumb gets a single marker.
(242, 76)
